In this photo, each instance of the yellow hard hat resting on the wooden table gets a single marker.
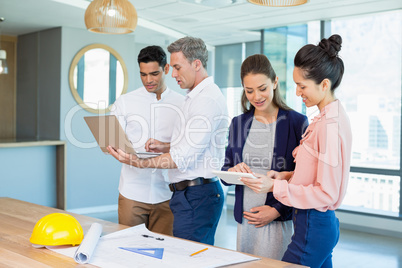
(57, 229)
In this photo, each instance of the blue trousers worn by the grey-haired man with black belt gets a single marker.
(196, 212)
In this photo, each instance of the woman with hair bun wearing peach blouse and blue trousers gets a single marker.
(318, 184)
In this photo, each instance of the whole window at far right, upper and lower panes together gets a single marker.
(371, 94)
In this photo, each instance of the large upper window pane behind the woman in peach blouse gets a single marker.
(371, 86)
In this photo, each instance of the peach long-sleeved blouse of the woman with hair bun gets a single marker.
(317, 180)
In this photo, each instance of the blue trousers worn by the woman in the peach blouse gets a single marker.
(315, 236)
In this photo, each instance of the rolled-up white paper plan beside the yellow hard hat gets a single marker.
(85, 250)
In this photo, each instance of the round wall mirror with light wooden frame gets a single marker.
(97, 77)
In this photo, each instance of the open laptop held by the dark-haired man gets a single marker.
(108, 131)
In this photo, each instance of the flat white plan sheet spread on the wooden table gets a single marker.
(176, 252)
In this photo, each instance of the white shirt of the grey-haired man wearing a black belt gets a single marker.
(198, 142)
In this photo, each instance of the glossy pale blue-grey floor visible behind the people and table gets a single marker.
(354, 250)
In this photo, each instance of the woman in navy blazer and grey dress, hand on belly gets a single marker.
(262, 139)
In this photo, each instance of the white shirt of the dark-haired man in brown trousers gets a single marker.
(142, 116)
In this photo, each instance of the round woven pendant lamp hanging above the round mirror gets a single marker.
(111, 17)
